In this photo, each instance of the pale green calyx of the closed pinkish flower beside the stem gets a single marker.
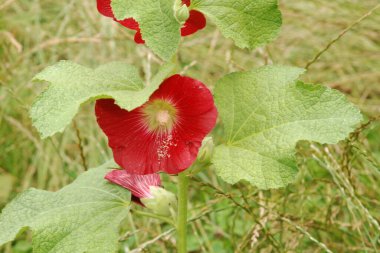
(163, 202)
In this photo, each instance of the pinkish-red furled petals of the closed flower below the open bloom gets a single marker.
(138, 185)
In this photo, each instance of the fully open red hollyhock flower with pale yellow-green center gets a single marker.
(165, 133)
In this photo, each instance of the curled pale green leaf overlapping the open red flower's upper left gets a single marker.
(72, 85)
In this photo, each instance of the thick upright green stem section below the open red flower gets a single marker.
(182, 213)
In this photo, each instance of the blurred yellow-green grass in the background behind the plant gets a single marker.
(334, 204)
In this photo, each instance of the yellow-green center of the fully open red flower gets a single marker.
(160, 116)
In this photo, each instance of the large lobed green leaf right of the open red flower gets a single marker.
(265, 112)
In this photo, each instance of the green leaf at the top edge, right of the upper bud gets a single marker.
(249, 23)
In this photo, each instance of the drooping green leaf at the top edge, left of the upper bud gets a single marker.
(159, 27)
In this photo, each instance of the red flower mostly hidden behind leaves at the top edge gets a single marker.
(194, 23)
